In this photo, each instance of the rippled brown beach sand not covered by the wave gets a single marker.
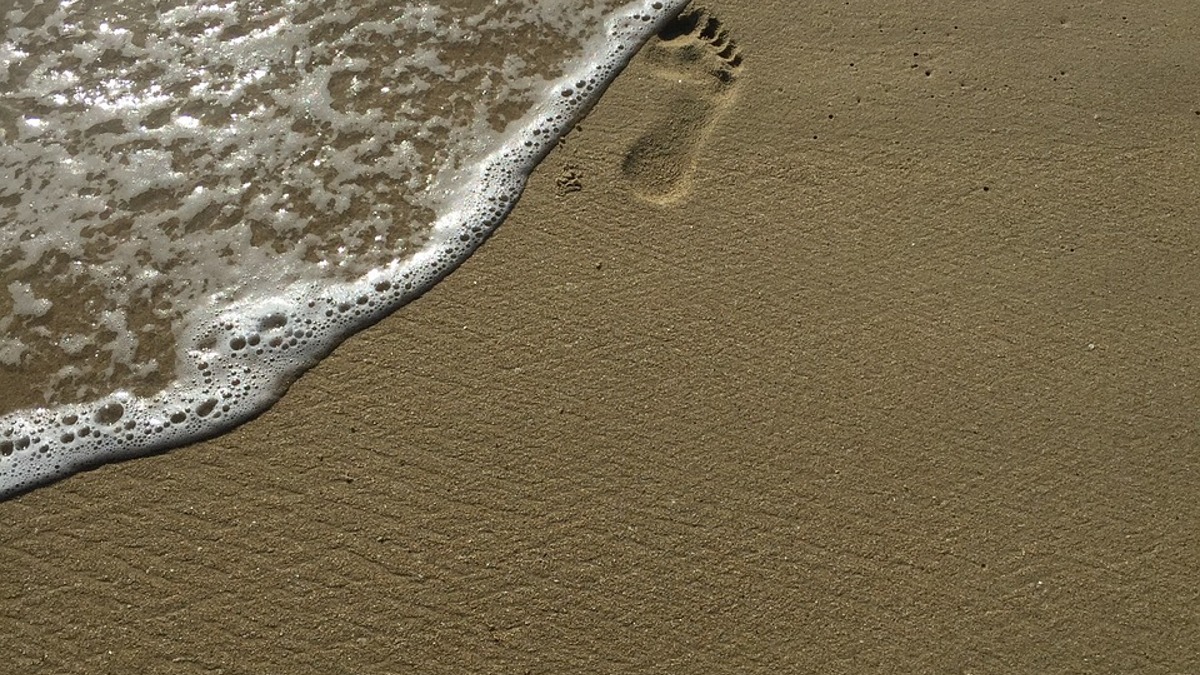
(880, 357)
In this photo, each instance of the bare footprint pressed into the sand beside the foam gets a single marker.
(695, 65)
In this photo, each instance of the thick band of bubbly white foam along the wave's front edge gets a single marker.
(236, 366)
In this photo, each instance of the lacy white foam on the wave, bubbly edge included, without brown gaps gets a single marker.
(241, 344)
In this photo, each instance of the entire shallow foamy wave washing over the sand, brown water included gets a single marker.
(201, 201)
